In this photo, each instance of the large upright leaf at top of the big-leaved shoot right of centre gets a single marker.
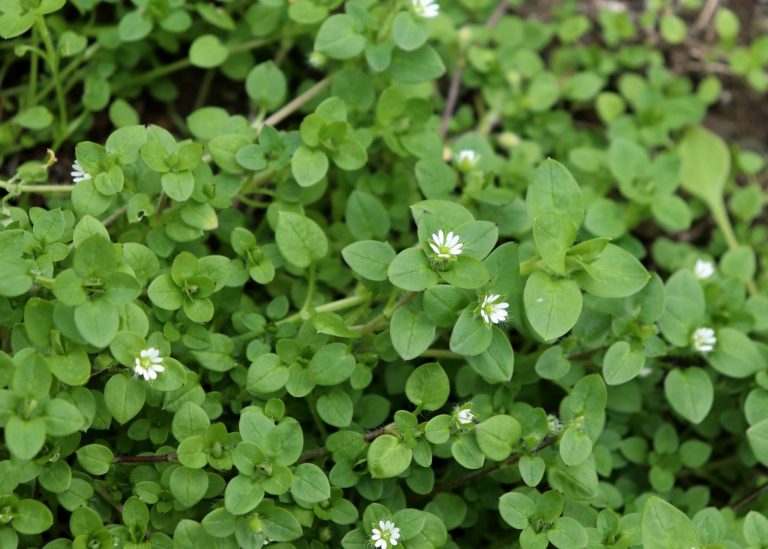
(555, 191)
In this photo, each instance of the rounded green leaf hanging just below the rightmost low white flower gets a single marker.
(690, 392)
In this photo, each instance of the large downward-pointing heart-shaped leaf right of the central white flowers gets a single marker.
(552, 305)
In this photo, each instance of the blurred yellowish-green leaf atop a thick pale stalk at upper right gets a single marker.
(705, 164)
